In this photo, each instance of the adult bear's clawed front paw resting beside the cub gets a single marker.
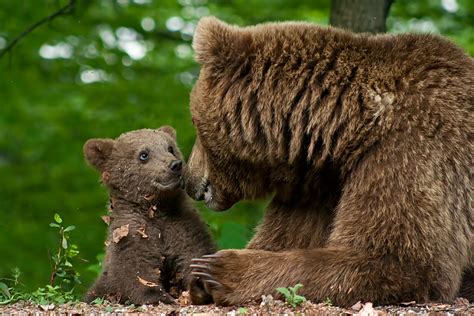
(222, 274)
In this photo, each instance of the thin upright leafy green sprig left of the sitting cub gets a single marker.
(63, 273)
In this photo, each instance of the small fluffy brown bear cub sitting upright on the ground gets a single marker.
(164, 229)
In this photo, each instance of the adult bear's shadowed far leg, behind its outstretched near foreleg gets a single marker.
(297, 227)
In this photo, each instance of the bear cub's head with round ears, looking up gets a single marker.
(139, 166)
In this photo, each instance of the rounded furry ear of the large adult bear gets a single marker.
(217, 43)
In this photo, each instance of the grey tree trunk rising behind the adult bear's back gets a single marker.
(360, 15)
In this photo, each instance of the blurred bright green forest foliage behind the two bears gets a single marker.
(112, 66)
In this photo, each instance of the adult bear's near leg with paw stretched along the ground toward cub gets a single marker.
(401, 233)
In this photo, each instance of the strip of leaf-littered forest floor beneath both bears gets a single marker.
(267, 306)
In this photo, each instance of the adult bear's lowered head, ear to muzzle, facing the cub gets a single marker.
(227, 162)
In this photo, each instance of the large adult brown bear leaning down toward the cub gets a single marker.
(364, 141)
